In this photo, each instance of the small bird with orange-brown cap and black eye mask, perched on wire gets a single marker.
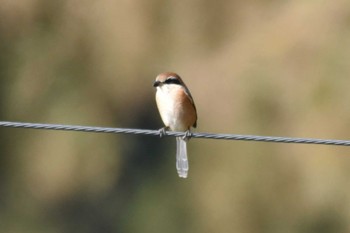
(178, 113)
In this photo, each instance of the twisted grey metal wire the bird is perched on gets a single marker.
(176, 134)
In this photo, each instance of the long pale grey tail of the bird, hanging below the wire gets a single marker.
(181, 157)
